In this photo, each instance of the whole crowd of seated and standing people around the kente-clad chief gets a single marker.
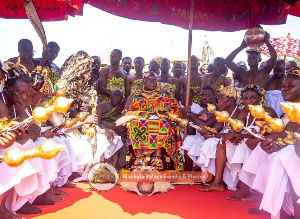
(255, 169)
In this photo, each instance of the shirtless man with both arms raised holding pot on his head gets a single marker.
(254, 75)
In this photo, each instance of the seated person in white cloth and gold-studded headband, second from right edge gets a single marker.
(233, 148)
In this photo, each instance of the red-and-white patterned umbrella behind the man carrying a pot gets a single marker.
(284, 46)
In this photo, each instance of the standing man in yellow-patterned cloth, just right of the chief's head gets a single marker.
(165, 80)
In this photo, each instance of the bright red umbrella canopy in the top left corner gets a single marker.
(48, 10)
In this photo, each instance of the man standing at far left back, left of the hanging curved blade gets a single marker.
(25, 49)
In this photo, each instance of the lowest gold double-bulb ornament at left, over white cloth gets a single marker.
(15, 157)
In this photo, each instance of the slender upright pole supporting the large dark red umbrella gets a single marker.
(188, 82)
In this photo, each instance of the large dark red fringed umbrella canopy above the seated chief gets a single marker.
(217, 15)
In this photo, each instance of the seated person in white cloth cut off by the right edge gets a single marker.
(272, 166)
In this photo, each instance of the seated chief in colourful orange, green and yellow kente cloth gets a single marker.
(152, 131)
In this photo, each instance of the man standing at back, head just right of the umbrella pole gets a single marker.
(196, 81)
